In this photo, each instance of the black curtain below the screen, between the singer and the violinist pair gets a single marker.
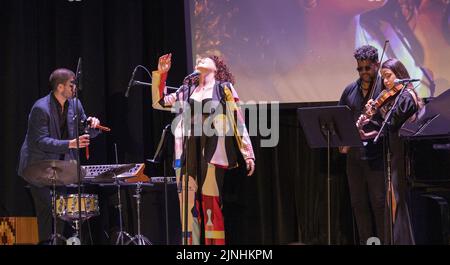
(285, 201)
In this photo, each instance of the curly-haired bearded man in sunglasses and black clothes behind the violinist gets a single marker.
(365, 165)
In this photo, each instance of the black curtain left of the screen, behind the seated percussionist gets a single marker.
(112, 37)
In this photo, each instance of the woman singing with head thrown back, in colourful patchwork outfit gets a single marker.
(210, 133)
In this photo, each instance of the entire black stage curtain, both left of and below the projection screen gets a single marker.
(284, 202)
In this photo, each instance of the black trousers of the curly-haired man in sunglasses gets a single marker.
(368, 196)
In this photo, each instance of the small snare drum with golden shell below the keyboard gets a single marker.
(67, 206)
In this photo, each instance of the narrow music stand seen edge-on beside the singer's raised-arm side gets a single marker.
(158, 158)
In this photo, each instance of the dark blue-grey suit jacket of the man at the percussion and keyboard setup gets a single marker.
(43, 134)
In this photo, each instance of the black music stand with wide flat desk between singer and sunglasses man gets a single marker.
(326, 127)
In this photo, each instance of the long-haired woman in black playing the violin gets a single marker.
(407, 103)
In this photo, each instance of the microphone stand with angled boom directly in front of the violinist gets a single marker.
(386, 140)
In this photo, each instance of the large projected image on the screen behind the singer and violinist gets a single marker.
(302, 50)
